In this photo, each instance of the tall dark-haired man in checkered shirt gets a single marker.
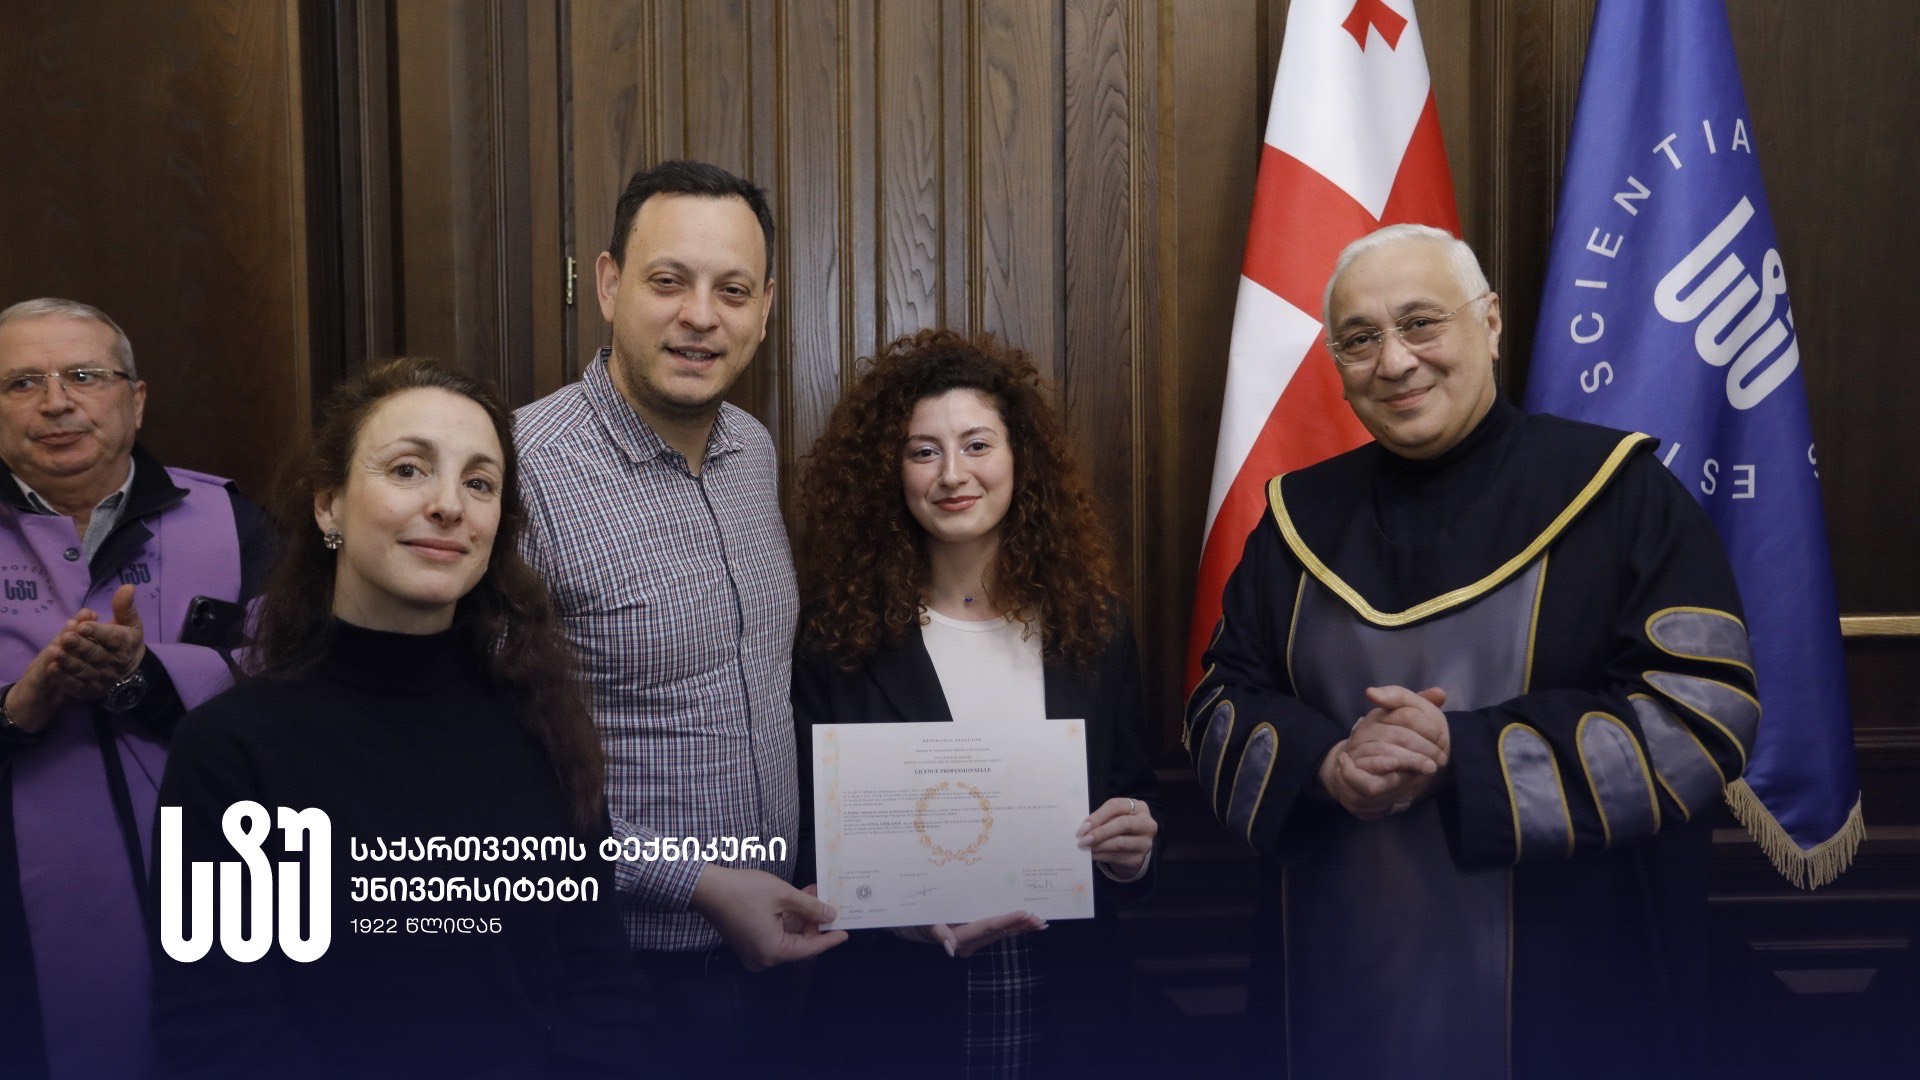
(656, 518)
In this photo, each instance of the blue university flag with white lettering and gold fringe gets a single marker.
(1668, 312)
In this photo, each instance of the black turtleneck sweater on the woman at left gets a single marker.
(395, 737)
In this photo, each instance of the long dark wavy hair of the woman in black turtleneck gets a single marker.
(510, 618)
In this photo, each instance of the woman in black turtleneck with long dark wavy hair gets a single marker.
(412, 683)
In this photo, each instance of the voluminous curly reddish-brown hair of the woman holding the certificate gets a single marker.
(861, 554)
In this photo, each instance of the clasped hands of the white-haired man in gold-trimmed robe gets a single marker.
(1395, 756)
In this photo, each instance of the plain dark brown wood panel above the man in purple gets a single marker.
(156, 168)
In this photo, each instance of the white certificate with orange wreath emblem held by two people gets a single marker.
(951, 823)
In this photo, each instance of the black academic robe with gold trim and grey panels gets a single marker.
(1543, 914)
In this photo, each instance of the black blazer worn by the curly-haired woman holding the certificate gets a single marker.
(878, 994)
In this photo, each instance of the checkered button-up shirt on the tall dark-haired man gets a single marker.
(679, 595)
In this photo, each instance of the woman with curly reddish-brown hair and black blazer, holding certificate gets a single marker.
(953, 570)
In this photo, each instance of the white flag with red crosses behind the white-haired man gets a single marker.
(1353, 145)
